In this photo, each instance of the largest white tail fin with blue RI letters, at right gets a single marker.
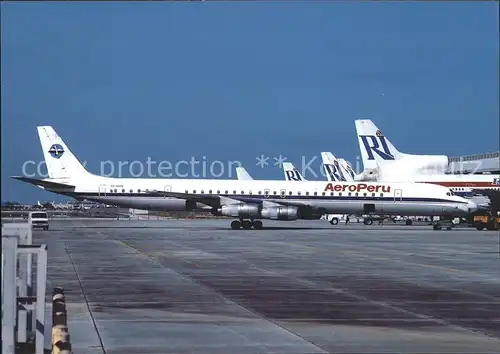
(375, 147)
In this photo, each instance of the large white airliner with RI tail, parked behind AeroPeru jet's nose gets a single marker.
(389, 165)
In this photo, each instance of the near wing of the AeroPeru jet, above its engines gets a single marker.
(217, 201)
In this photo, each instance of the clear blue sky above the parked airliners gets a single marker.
(232, 81)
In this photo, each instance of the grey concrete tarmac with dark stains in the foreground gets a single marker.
(197, 286)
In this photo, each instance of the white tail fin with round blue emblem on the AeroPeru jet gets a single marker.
(61, 163)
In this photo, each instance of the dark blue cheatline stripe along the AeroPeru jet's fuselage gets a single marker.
(246, 197)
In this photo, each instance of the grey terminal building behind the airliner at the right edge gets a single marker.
(482, 163)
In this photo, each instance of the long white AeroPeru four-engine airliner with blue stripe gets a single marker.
(247, 201)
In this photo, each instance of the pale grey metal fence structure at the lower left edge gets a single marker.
(23, 302)
